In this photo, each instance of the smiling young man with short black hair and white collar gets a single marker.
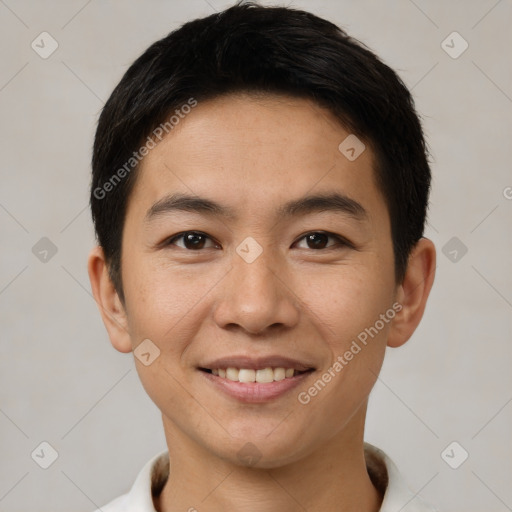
(260, 186)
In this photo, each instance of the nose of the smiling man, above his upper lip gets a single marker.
(256, 298)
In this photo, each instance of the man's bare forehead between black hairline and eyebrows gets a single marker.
(252, 152)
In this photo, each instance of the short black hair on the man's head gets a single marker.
(274, 50)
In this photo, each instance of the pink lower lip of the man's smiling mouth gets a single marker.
(255, 392)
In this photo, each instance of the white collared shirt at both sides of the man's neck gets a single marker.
(383, 472)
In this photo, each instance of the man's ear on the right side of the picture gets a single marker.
(413, 293)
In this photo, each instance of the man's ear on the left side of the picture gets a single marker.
(110, 305)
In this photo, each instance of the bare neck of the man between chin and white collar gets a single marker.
(332, 478)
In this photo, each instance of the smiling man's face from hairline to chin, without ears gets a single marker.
(252, 242)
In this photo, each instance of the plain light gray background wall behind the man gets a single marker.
(62, 382)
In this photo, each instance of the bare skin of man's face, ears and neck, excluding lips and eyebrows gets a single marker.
(253, 154)
